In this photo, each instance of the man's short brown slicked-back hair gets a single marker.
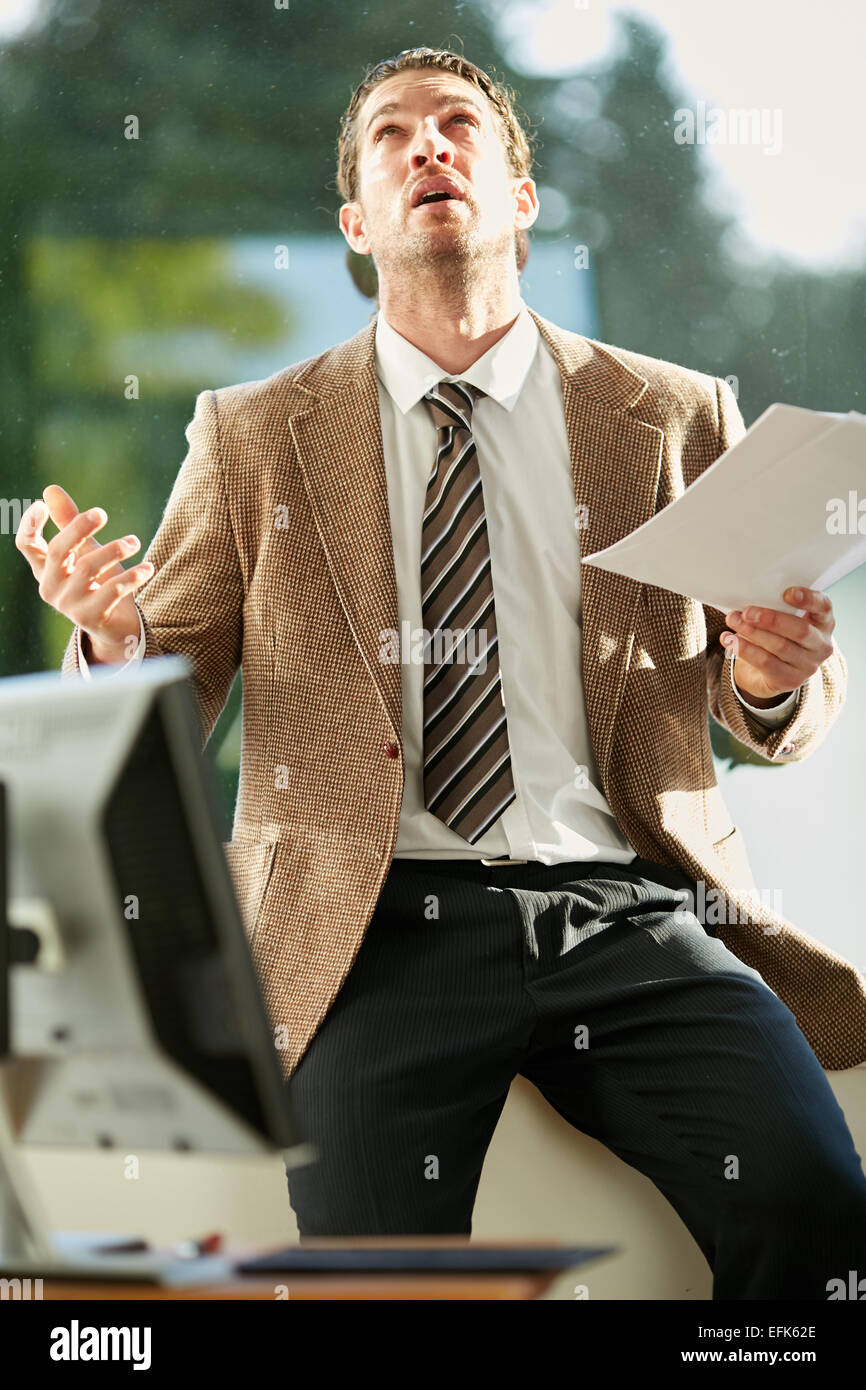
(515, 140)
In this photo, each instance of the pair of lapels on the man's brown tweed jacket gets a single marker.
(615, 465)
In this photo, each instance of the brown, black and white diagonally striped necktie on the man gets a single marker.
(468, 765)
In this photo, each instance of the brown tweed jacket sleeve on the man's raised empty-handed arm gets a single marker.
(194, 603)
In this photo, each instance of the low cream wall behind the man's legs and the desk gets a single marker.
(541, 1181)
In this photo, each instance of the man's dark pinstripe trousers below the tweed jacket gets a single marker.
(596, 983)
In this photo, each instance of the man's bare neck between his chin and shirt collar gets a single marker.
(455, 330)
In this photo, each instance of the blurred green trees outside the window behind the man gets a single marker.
(113, 255)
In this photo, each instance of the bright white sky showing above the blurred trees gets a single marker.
(803, 59)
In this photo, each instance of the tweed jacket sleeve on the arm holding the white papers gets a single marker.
(821, 698)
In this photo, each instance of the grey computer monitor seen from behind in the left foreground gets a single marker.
(130, 1008)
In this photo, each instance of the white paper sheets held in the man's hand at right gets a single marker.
(757, 522)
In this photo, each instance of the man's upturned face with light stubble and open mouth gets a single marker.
(433, 176)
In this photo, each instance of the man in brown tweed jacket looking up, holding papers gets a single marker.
(465, 856)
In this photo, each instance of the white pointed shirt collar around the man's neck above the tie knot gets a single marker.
(408, 373)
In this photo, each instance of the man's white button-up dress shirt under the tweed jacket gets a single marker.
(559, 812)
